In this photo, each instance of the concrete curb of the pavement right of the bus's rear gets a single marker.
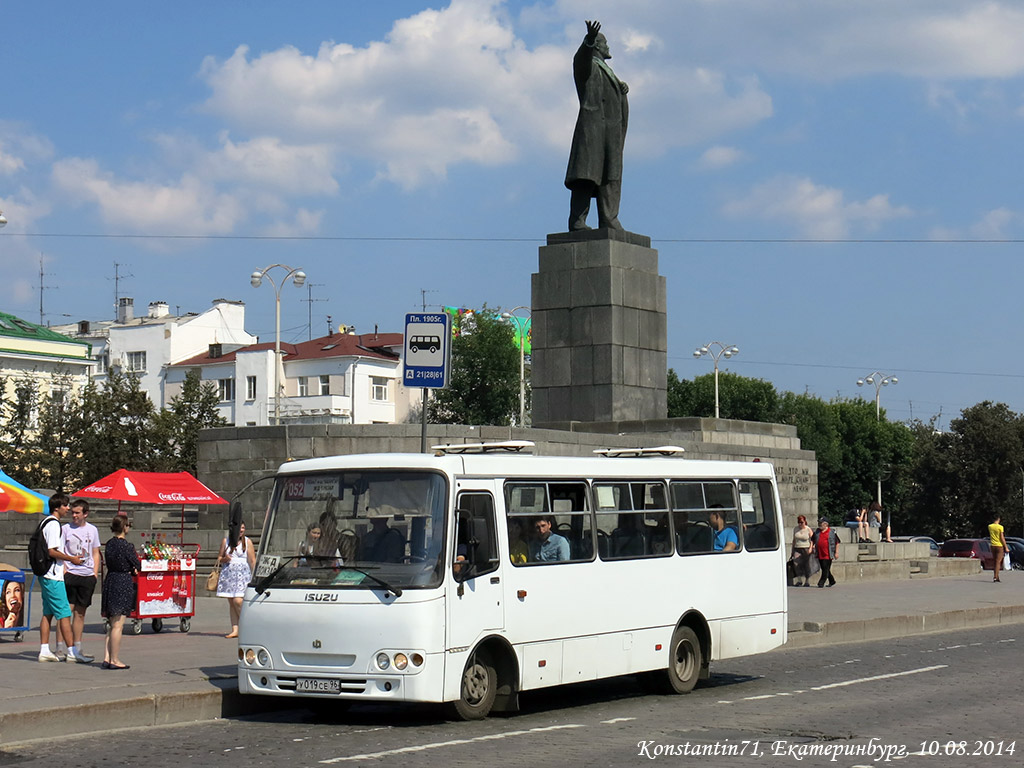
(834, 633)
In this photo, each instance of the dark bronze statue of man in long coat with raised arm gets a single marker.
(595, 168)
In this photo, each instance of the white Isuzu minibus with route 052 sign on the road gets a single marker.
(476, 573)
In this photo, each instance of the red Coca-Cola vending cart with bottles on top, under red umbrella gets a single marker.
(166, 586)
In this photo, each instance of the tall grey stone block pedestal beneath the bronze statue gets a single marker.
(601, 331)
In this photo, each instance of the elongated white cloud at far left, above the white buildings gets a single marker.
(189, 206)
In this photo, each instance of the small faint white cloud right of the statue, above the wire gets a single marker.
(818, 212)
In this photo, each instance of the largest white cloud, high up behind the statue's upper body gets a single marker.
(457, 87)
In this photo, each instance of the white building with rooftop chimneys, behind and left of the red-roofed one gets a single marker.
(146, 347)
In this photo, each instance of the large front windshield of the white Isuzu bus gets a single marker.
(355, 530)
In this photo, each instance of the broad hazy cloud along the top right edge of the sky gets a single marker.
(829, 39)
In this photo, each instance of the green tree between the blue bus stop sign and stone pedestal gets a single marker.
(484, 383)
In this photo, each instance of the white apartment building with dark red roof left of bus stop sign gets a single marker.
(336, 379)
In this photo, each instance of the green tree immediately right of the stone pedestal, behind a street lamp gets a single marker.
(740, 398)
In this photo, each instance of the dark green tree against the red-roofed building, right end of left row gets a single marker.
(178, 428)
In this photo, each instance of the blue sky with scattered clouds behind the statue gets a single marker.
(833, 187)
